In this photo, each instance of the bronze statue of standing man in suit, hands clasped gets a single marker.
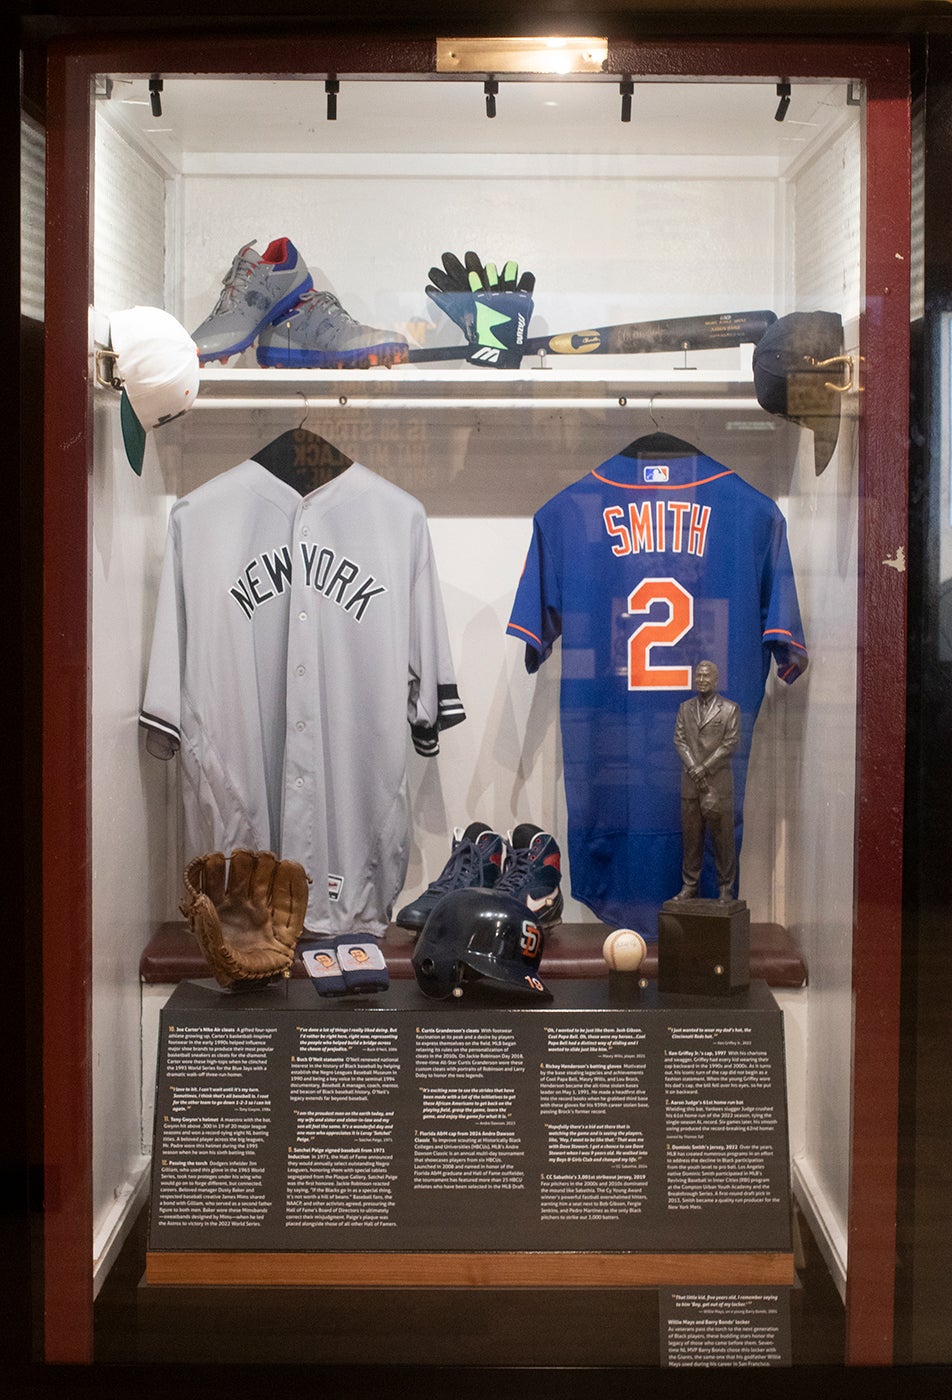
(706, 736)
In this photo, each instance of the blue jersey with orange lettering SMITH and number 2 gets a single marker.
(645, 569)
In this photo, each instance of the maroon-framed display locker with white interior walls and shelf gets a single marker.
(661, 184)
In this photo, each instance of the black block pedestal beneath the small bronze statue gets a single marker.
(705, 947)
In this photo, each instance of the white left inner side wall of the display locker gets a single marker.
(135, 876)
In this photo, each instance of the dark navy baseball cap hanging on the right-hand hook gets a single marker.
(792, 381)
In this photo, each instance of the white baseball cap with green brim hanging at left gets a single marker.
(157, 362)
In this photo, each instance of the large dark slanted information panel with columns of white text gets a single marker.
(289, 1122)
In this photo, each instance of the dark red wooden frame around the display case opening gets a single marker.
(884, 443)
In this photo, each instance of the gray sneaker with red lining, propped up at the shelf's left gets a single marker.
(255, 292)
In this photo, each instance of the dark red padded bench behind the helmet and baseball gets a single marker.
(570, 951)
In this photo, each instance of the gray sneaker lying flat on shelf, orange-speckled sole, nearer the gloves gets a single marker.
(318, 334)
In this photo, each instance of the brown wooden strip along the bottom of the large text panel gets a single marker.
(484, 1270)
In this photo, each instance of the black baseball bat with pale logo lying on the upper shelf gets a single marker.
(733, 328)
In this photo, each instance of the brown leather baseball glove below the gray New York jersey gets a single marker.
(247, 918)
